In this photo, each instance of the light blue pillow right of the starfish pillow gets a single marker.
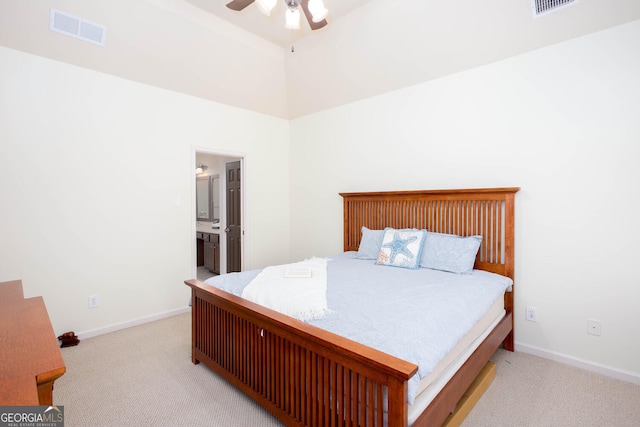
(450, 252)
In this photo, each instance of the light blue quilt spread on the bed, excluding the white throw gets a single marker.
(416, 315)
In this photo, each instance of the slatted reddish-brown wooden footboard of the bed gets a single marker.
(300, 373)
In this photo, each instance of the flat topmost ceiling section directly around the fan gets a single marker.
(271, 27)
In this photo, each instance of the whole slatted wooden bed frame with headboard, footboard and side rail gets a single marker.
(307, 376)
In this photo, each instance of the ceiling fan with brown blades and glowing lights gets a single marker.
(313, 10)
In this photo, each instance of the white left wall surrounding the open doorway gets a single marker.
(97, 189)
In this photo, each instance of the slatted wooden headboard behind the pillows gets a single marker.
(488, 212)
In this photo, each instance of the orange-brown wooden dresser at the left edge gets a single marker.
(30, 359)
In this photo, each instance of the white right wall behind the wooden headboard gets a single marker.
(561, 123)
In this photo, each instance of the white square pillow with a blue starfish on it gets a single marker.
(401, 248)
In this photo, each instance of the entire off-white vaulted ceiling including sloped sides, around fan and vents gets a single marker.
(244, 59)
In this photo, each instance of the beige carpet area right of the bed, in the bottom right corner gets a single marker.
(529, 391)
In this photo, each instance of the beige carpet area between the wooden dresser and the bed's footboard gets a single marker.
(143, 376)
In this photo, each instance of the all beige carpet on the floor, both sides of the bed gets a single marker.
(143, 376)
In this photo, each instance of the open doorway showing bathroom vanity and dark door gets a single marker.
(218, 207)
